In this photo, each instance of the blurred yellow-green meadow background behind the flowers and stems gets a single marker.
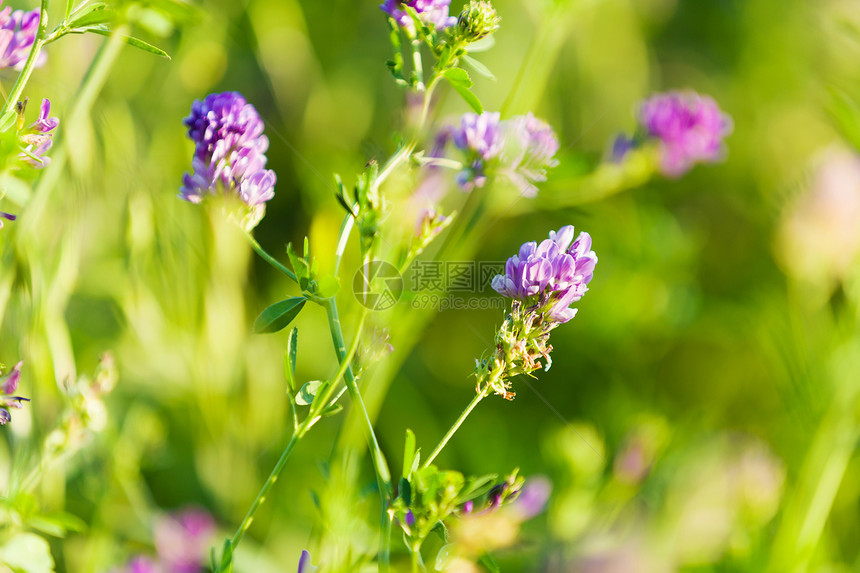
(701, 413)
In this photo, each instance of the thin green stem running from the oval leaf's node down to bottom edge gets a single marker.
(383, 475)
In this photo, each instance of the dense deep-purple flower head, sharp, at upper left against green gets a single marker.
(229, 154)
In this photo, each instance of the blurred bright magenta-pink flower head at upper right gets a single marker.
(690, 128)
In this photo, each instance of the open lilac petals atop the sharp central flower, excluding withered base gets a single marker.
(557, 272)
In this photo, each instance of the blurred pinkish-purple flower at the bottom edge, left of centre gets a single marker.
(183, 538)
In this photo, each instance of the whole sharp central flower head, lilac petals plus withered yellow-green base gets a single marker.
(544, 280)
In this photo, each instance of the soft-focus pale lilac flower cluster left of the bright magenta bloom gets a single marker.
(521, 149)
